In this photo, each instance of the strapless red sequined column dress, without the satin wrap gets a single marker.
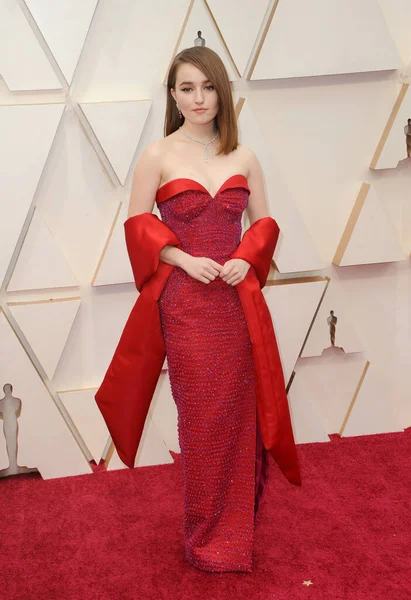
(211, 371)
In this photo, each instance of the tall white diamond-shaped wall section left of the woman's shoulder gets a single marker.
(78, 201)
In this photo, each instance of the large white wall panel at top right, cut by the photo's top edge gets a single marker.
(325, 37)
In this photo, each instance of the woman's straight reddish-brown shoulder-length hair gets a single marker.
(213, 68)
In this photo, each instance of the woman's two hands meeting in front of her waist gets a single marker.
(206, 269)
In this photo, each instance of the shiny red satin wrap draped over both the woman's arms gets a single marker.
(128, 386)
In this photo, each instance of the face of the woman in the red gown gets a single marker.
(192, 92)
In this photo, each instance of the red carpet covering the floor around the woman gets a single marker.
(118, 535)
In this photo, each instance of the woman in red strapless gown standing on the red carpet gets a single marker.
(202, 181)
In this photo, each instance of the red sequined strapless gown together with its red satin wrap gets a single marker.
(220, 373)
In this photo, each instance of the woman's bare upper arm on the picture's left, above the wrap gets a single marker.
(146, 179)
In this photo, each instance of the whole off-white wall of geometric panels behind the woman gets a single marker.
(81, 96)
